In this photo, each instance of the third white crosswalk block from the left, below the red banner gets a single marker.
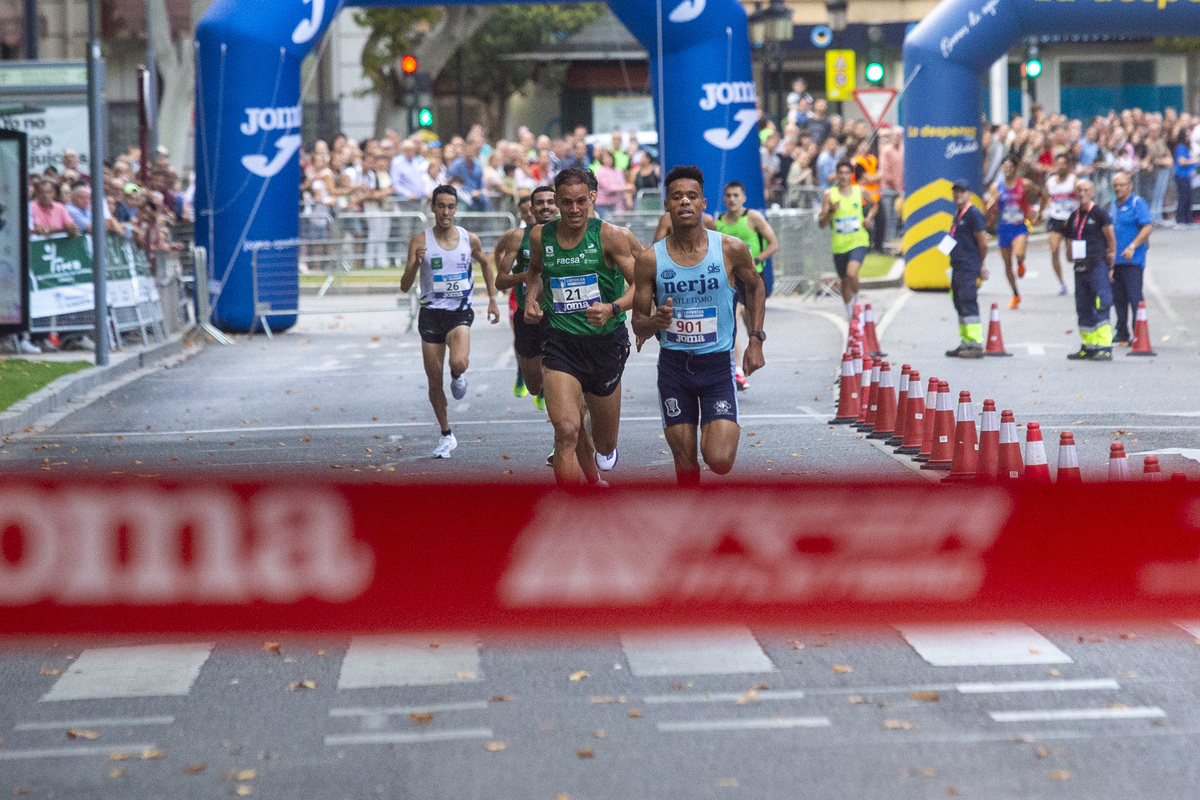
(724, 652)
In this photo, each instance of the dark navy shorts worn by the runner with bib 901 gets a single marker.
(697, 388)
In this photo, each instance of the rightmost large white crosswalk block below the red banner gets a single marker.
(977, 646)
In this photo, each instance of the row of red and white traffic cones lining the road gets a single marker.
(943, 437)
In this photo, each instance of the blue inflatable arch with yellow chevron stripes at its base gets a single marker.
(946, 56)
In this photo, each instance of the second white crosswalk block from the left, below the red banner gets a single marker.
(410, 661)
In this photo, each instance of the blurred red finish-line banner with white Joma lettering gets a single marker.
(304, 556)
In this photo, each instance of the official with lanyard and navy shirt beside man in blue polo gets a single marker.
(1093, 248)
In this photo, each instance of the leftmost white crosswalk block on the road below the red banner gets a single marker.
(145, 671)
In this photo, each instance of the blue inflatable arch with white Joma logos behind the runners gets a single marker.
(248, 101)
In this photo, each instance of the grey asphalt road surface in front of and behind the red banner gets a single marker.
(1052, 712)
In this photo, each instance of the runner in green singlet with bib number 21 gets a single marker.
(580, 278)
